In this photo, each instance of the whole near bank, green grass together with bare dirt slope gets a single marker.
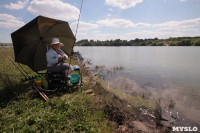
(22, 109)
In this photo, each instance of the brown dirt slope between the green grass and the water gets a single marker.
(130, 113)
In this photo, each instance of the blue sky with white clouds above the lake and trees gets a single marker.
(107, 19)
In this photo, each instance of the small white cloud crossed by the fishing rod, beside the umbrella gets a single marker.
(83, 26)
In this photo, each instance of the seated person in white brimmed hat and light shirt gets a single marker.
(56, 58)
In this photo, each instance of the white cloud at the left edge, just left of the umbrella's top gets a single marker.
(9, 21)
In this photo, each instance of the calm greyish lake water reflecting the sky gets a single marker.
(169, 74)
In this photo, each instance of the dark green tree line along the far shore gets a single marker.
(172, 41)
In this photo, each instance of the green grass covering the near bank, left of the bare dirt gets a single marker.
(23, 110)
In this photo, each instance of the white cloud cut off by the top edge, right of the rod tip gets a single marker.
(123, 4)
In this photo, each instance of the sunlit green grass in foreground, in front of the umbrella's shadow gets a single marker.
(72, 113)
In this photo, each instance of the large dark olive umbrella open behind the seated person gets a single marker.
(32, 41)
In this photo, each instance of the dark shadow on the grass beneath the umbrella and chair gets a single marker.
(10, 91)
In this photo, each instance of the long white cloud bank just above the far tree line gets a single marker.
(189, 27)
